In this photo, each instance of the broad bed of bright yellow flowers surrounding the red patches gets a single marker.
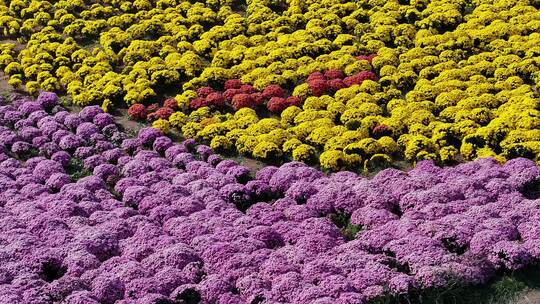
(455, 79)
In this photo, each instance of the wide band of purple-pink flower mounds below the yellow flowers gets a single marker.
(89, 215)
